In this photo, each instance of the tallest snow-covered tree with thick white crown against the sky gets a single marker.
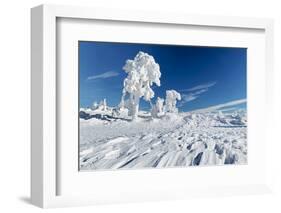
(142, 72)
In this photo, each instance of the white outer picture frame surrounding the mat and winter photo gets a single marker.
(45, 168)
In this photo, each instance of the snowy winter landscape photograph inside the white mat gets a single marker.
(161, 105)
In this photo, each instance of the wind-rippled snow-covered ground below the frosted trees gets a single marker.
(184, 139)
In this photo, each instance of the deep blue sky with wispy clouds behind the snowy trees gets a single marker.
(204, 76)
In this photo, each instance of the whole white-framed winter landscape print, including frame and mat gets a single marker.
(148, 105)
